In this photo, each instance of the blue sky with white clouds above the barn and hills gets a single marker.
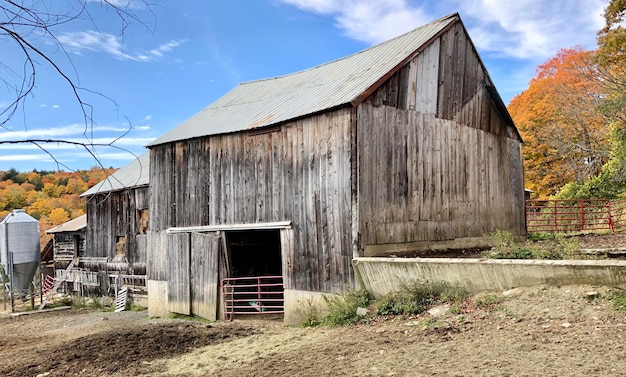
(173, 58)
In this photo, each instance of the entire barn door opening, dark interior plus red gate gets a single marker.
(254, 284)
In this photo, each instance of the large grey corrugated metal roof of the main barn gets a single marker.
(262, 103)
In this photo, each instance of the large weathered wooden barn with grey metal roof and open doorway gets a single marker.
(403, 146)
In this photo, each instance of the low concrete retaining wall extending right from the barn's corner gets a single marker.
(380, 276)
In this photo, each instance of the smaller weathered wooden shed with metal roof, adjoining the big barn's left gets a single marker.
(117, 223)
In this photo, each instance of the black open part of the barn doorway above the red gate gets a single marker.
(254, 253)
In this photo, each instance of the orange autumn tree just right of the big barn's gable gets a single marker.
(565, 135)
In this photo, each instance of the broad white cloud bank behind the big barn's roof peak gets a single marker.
(519, 29)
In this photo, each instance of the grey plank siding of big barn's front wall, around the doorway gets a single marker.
(298, 172)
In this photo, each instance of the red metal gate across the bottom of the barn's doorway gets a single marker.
(253, 295)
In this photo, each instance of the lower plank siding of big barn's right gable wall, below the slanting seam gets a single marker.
(434, 179)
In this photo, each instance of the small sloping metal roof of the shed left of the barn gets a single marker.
(136, 173)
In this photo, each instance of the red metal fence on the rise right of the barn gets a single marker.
(580, 215)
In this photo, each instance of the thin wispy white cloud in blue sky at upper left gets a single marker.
(80, 42)
